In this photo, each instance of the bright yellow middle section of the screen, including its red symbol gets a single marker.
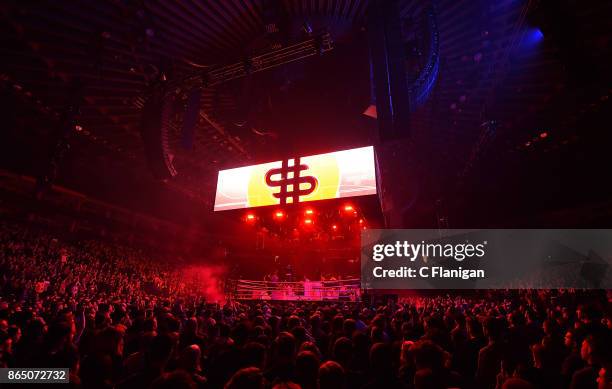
(294, 180)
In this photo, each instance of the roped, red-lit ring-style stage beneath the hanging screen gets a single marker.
(340, 290)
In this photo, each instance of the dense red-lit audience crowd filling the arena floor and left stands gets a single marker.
(118, 318)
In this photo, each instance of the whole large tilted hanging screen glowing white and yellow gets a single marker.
(318, 177)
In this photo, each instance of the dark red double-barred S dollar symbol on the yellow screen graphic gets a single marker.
(294, 181)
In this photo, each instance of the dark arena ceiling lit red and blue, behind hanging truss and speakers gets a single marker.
(517, 118)
